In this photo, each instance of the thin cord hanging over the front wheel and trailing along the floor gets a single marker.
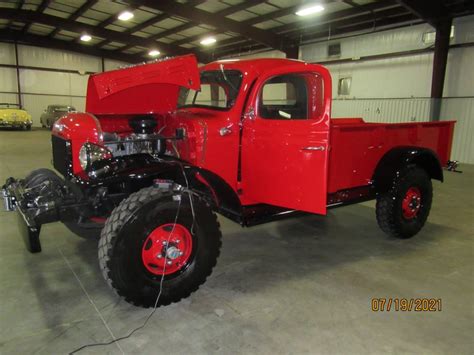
(155, 307)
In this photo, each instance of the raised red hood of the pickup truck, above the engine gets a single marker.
(146, 88)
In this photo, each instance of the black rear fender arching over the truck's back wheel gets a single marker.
(395, 160)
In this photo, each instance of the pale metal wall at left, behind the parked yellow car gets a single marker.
(41, 88)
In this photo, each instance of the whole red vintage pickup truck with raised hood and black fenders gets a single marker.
(164, 146)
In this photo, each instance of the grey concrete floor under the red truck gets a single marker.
(297, 286)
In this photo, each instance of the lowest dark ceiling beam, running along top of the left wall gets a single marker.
(43, 41)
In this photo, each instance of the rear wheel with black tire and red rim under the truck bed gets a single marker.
(403, 211)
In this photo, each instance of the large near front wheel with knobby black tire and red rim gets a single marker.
(130, 265)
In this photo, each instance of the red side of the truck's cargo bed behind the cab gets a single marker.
(357, 146)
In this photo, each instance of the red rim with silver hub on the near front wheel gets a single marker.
(167, 249)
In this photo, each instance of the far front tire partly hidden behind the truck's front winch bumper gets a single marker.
(39, 176)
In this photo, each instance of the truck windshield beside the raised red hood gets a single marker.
(219, 90)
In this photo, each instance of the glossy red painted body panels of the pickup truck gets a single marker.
(274, 168)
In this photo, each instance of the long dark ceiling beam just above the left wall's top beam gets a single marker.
(78, 27)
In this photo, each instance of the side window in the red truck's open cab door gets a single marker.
(285, 97)
